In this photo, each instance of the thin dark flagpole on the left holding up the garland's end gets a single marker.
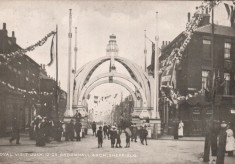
(56, 91)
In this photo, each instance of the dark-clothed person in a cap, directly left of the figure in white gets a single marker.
(222, 143)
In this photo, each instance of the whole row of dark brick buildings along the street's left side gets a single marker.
(25, 88)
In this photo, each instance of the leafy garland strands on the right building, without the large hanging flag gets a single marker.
(176, 55)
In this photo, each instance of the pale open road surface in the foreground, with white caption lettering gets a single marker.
(164, 150)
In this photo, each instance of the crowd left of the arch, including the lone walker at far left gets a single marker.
(44, 130)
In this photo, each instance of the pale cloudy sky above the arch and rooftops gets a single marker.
(96, 20)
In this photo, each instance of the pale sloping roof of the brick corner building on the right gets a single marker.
(219, 30)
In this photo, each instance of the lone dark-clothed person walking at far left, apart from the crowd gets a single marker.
(15, 131)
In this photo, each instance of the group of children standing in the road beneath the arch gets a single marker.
(113, 133)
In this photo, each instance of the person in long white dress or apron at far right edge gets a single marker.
(230, 144)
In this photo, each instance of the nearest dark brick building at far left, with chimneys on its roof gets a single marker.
(17, 77)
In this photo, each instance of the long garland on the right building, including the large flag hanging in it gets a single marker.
(167, 70)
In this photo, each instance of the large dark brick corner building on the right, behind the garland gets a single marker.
(195, 73)
